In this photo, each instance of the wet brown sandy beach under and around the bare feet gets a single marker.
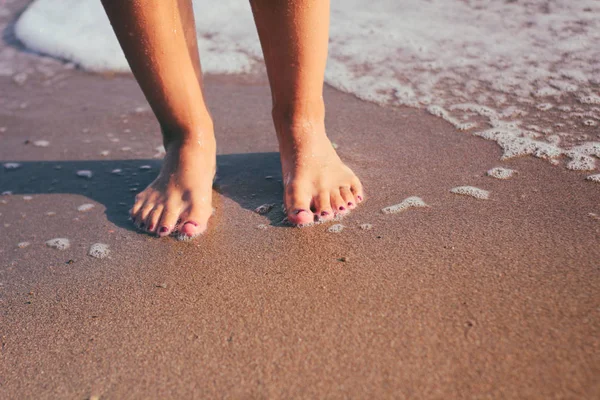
(465, 298)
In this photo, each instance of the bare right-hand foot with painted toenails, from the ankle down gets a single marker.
(317, 184)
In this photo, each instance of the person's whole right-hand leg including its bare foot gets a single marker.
(294, 35)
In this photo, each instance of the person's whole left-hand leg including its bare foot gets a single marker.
(159, 41)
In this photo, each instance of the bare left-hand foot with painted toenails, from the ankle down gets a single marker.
(180, 198)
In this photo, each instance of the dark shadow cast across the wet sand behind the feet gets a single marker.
(248, 179)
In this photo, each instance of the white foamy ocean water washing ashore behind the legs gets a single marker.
(525, 74)
